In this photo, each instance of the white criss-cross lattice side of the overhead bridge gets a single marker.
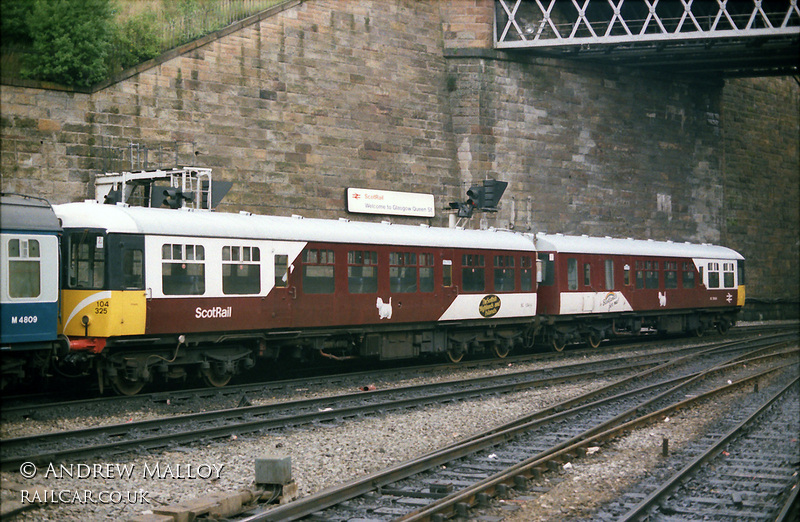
(559, 23)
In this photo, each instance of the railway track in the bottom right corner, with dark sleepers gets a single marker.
(749, 472)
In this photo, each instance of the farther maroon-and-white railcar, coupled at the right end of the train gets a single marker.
(594, 288)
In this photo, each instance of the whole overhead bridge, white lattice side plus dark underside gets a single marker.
(733, 38)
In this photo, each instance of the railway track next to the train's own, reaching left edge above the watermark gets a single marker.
(168, 431)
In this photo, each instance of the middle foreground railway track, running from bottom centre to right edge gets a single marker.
(450, 481)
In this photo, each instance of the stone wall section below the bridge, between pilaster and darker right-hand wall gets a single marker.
(590, 150)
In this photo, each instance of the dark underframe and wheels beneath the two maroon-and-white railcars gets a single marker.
(127, 365)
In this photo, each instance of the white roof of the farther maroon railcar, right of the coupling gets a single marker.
(632, 247)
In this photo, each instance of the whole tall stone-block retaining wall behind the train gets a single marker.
(407, 95)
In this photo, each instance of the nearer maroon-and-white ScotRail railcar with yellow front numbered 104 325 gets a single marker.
(158, 291)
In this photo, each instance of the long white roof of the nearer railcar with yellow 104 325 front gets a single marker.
(202, 223)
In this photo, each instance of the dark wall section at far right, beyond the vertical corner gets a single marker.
(761, 122)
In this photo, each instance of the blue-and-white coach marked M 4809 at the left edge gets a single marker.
(29, 287)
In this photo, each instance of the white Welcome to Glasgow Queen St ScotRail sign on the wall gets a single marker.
(368, 201)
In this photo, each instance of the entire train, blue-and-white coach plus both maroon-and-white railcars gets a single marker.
(133, 294)
